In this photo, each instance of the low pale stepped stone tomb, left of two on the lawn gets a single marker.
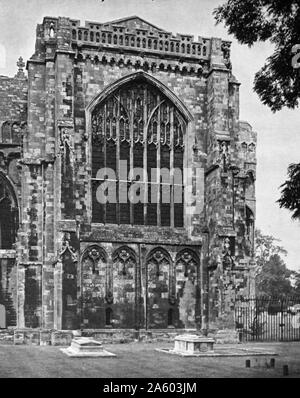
(84, 347)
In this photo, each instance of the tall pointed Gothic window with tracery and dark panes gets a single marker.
(137, 158)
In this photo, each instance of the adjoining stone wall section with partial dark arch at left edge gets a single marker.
(13, 121)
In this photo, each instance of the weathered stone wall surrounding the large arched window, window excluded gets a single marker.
(75, 273)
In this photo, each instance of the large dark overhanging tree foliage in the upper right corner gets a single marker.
(278, 82)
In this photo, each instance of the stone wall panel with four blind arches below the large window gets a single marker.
(157, 289)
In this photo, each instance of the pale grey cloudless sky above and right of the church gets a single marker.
(278, 134)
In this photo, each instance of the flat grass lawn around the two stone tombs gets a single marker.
(140, 360)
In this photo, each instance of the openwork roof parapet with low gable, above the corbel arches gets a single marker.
(132, 34)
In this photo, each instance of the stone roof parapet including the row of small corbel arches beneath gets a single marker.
(129, 41)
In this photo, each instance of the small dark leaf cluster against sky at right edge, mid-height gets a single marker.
(290, 194)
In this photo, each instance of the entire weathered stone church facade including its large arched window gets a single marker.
(123, 96)
